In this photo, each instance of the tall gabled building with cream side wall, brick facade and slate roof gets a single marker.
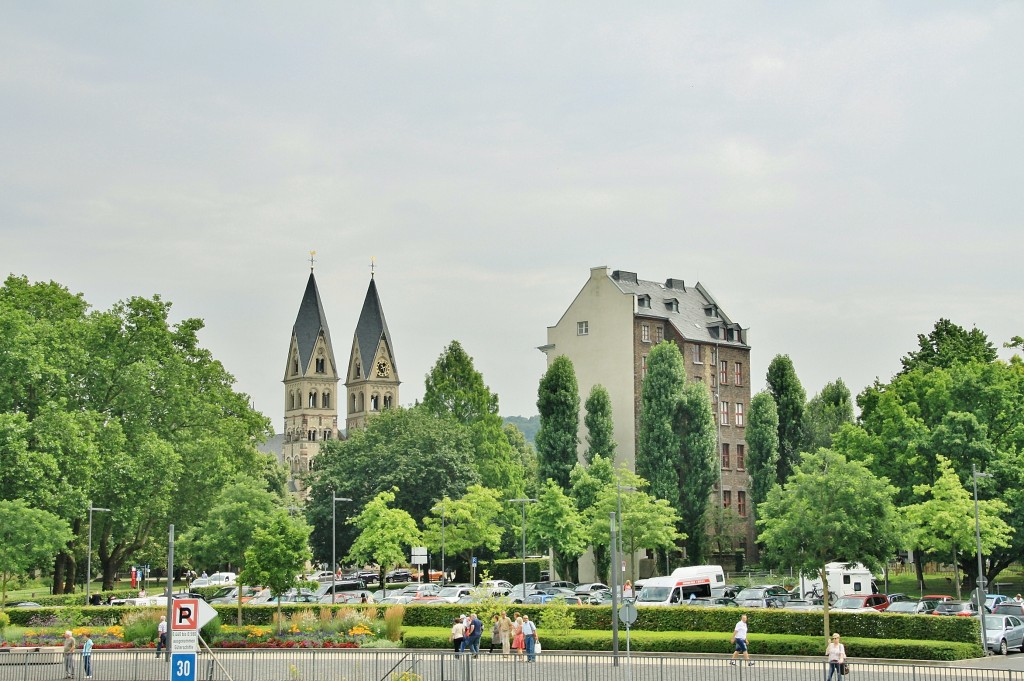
(608, 332)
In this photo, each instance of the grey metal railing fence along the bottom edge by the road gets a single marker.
(402, 665)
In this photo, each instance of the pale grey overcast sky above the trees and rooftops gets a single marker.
(838, 175)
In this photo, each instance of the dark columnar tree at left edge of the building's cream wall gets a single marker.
(559, 403)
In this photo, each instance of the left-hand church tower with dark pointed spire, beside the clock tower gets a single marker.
(311, 389)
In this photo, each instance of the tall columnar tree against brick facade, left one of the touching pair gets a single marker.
(658, 441)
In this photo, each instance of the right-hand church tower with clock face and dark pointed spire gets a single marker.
(372, 382)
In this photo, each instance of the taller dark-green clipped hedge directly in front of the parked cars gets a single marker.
(864, 625)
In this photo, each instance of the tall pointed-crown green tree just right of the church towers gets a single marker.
(456, 390)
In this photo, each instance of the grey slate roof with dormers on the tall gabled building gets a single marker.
(693, 320)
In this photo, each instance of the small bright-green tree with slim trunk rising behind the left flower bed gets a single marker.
(278, 555)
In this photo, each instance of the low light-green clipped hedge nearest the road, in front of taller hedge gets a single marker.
(717, 643)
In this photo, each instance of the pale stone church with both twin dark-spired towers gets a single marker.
(313, 375)
